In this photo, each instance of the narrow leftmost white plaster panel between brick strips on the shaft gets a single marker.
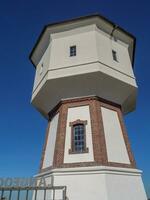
(50, 147)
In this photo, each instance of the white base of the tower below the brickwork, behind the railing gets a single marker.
(93, 183)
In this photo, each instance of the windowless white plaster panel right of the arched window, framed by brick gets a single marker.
(115, 144)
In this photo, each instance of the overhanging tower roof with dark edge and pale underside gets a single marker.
(101, 22)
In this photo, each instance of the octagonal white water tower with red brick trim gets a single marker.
(84, 85)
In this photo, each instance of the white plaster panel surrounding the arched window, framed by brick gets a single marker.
(82, 113)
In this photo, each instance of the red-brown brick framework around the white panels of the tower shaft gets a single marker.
(98, 136)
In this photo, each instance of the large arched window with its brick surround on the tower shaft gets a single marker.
(78, 137)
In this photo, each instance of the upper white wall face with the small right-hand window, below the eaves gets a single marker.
(105, 45)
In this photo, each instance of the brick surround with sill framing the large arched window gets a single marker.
(72, 124)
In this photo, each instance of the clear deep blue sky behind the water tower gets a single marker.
(22, 128)
